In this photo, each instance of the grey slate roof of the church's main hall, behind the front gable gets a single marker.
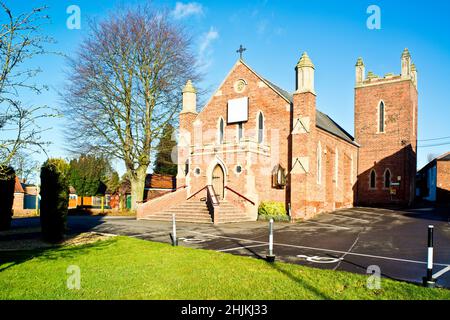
(323, 121)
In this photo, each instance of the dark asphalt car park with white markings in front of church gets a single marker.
(354, 240)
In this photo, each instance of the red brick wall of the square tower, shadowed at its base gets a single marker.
(395, 149)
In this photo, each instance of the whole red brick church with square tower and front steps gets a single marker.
(254, 142)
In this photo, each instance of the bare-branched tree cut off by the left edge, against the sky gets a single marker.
(20, 41)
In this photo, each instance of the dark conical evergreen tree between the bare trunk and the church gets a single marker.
(164, 163)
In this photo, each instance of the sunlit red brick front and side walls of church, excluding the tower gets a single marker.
(306, 195)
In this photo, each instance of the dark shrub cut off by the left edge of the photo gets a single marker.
(7, 182)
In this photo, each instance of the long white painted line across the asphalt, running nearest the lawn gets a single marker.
(325, 250)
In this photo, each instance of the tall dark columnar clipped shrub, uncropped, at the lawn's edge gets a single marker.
(54, 199)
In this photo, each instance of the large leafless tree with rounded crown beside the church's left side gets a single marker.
(124, 86)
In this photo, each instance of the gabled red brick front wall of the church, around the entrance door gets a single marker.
(276, 113)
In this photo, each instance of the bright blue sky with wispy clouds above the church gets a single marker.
(275, 32)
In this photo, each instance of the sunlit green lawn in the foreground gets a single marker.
(125, 268)
